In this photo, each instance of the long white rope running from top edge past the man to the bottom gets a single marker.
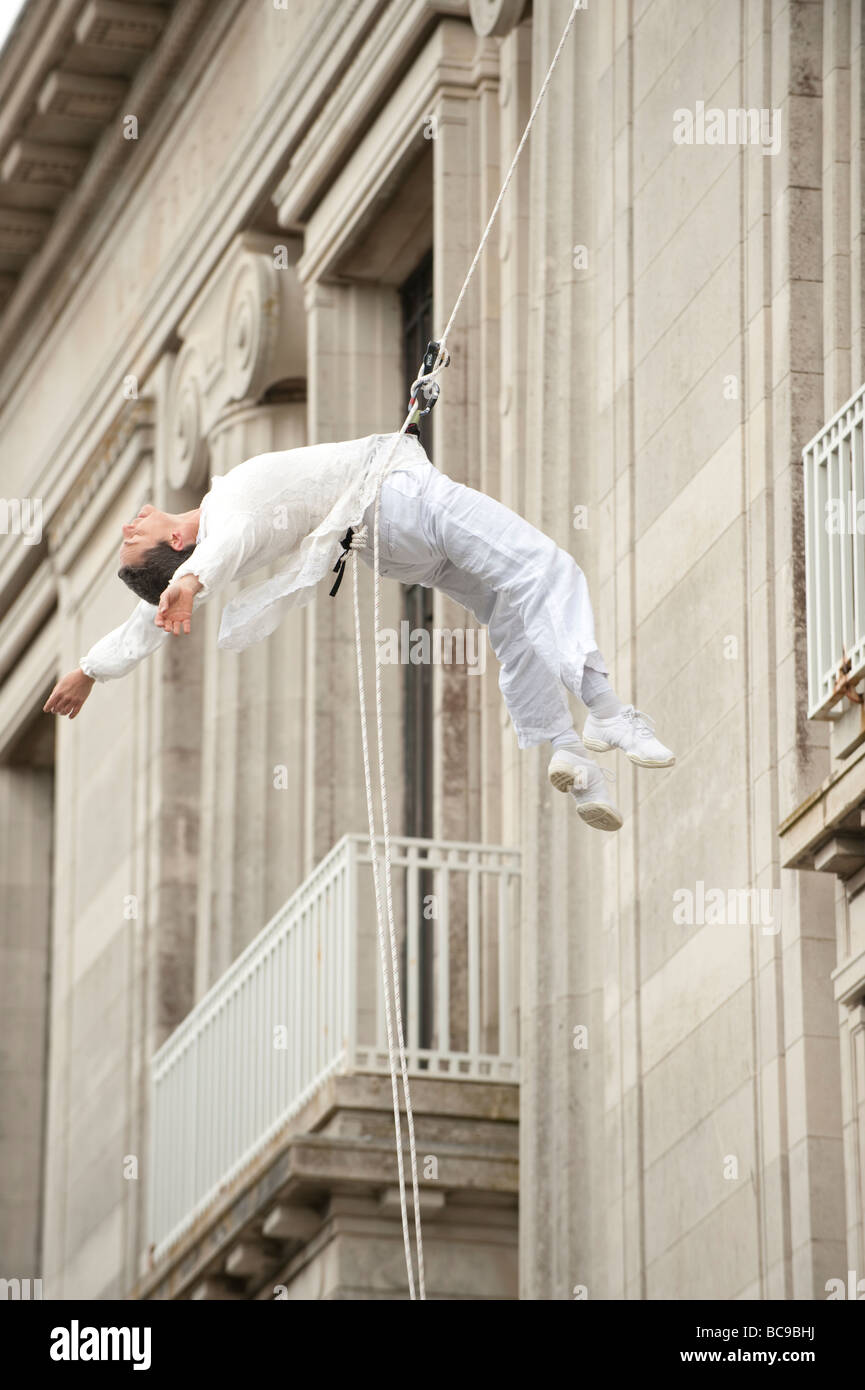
(391, 979)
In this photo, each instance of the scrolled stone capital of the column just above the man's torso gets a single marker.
(245, 333)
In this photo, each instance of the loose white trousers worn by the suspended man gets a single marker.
(529, 593)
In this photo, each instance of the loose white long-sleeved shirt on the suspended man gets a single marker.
(293, 507)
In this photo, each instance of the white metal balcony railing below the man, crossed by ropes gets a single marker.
(305, 1000)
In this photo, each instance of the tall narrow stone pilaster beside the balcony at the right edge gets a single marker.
(807, 377)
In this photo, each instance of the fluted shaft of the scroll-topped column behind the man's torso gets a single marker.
(254, 761)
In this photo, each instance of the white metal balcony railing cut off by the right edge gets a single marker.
(835, 554)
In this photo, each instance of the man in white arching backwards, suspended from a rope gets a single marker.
(301, 507)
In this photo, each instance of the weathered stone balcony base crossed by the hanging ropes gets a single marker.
(316, 1216)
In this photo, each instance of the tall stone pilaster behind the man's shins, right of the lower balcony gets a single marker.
(561, 1156)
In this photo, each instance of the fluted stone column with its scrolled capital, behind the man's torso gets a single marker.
(239, 389)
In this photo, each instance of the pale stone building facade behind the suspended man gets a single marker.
(215, 222)
